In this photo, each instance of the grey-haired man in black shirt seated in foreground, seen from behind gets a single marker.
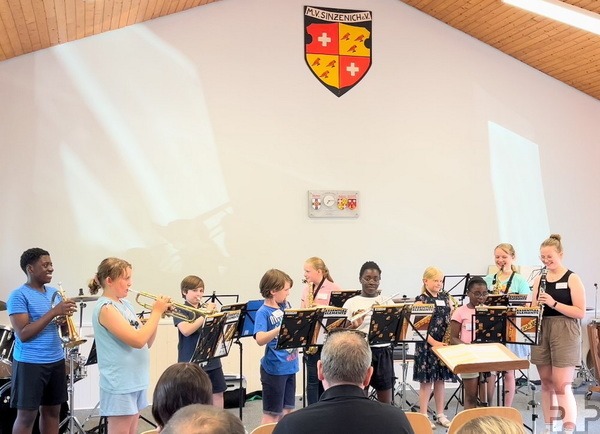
(345, 370)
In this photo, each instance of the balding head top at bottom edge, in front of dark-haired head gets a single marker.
(203, 419)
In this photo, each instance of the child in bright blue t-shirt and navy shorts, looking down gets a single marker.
(278, 367)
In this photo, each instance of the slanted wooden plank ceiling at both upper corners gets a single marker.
(563, 52)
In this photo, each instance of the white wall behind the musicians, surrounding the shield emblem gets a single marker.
(187, 145)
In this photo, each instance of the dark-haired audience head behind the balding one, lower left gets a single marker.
(181, 384)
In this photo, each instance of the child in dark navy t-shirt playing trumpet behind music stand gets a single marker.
(192, 290)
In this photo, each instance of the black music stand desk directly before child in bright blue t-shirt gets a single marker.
(297, 328)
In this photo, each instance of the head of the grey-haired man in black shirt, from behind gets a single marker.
(345, 359)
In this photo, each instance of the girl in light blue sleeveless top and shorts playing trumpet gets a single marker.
(122, 344)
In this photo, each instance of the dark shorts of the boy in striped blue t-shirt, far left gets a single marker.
(38, 384)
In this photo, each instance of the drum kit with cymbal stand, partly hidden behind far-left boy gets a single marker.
(75, 365)
